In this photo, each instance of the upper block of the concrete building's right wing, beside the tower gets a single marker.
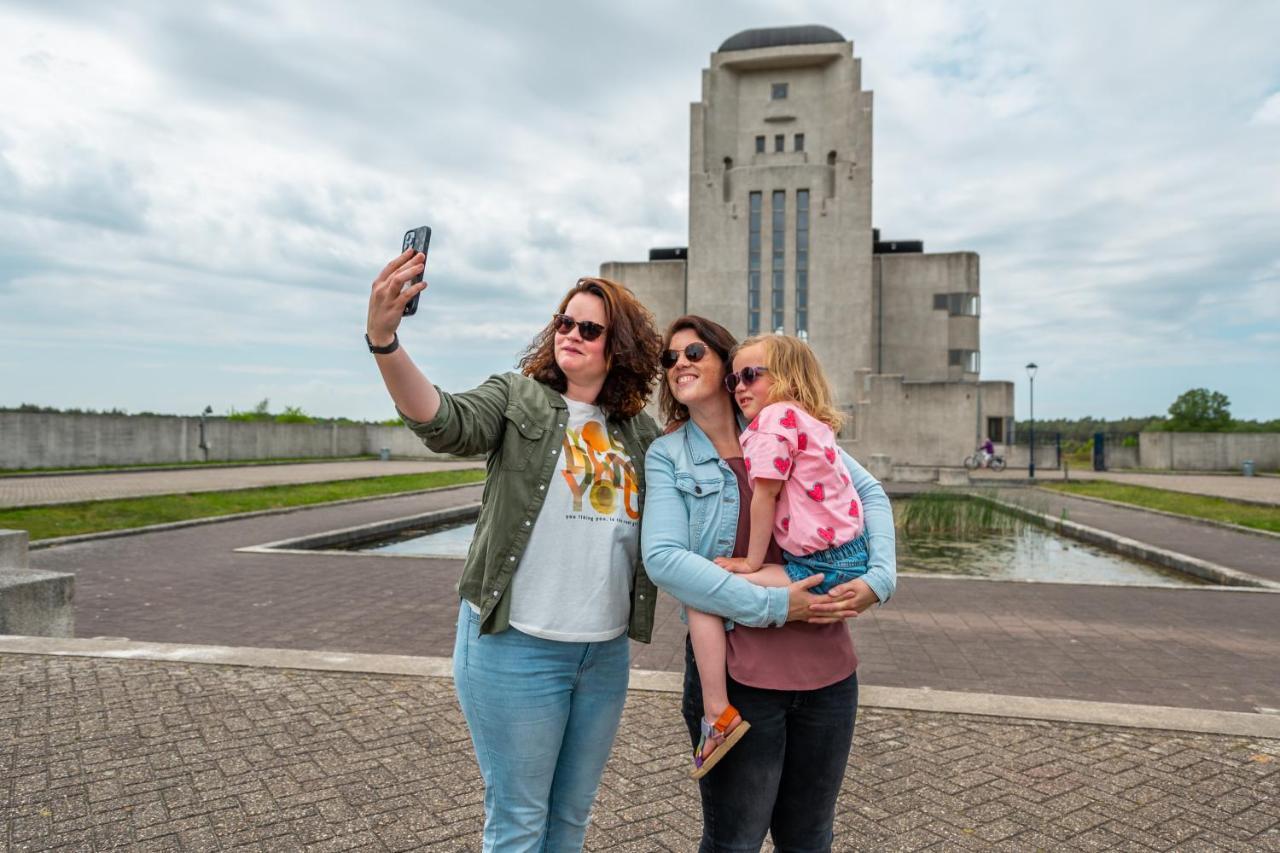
(912, 337)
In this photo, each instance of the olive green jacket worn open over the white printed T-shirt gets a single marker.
(519, 425)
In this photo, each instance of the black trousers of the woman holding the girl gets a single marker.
(784, 777)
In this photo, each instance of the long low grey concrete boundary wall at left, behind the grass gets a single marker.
(30, 440)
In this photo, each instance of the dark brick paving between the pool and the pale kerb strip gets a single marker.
(1199, 649)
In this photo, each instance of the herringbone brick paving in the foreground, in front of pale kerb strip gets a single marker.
(100, 755)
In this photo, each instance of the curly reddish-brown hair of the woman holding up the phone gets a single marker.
(632, 349)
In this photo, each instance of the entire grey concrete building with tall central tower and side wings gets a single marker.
(781, 240)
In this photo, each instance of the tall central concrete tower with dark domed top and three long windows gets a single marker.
(780, 194)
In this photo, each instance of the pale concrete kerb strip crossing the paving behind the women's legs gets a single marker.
(1109, 714)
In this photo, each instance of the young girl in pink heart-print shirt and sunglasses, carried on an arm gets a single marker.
(802, 496)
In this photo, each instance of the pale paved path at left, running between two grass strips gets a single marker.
(34, 491)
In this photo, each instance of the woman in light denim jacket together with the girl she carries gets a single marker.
(772, 740)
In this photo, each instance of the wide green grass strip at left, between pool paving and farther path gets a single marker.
(94, 517)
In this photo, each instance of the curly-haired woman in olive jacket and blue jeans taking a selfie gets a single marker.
(554, 585)
